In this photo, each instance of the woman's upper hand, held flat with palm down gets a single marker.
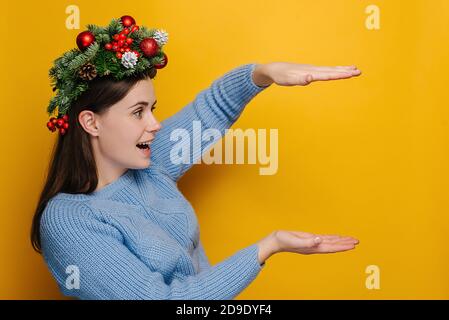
(295, 74)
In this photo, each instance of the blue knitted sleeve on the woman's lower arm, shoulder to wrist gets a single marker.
(107, 269)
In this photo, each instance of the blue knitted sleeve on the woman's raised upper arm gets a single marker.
(216, 107)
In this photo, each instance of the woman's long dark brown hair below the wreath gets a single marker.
(72, 167)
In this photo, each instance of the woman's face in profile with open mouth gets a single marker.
(123, 126)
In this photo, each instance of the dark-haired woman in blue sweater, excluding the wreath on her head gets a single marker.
(111, 222)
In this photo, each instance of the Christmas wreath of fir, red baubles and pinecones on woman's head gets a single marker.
(120, 50)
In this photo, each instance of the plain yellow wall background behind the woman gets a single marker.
(366, 157)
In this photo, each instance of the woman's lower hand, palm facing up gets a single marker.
(303, 243)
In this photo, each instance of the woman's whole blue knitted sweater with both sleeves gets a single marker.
(138, 237)
